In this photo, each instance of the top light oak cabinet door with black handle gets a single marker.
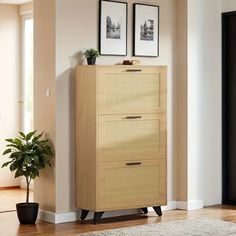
(131, 91)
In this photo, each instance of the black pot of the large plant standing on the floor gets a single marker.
(27, 212)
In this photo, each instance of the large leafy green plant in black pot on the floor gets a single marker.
(28, 155)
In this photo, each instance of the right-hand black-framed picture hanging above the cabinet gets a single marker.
(146, 30)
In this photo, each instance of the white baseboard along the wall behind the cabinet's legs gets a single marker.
(57, 218)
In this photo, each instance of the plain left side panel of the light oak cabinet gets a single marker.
(86, 137)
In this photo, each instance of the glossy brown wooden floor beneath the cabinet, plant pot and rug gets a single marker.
(9, 224)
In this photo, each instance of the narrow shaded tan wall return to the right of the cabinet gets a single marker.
(181, 97)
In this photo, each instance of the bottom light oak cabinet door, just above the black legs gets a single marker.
(124, 185)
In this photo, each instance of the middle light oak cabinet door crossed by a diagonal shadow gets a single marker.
(131, 137)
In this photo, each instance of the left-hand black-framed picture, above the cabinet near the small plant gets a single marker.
(113, 28)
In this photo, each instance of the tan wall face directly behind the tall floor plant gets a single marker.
(44, 106)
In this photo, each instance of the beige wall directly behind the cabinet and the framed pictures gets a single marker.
(76, 29)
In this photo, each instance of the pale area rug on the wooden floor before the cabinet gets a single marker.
(197, 227)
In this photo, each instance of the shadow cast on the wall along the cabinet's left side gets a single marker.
(65, 136)
